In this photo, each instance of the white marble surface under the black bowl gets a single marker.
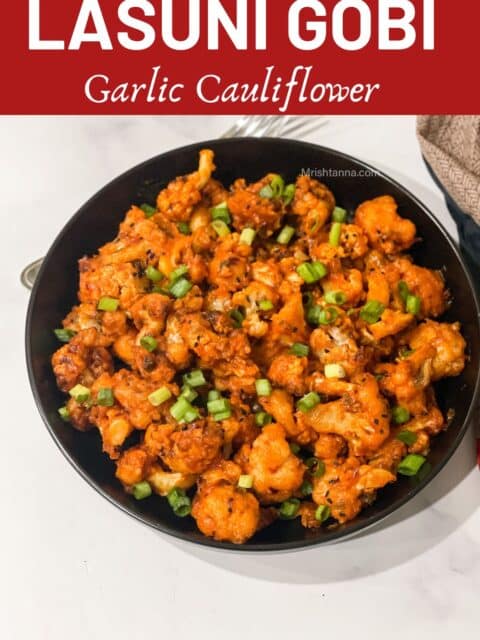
(72, 566)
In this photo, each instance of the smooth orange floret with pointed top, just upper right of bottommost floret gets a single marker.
(277, 473)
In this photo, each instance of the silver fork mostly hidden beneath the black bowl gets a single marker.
(246, 126)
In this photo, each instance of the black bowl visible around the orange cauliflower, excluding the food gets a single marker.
(352, 182)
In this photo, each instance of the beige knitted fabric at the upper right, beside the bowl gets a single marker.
(451, 146)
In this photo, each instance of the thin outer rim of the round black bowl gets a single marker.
(335, 535)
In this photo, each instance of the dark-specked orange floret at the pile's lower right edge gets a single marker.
(345, 486)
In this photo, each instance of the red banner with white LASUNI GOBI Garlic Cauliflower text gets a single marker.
(239, 56)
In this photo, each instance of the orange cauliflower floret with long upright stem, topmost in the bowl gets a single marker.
(178, 200)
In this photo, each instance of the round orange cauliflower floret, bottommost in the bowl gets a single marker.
(222, 510)
